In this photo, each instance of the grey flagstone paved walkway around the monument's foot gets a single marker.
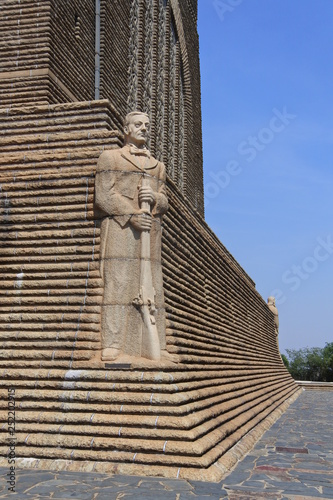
(293, 460)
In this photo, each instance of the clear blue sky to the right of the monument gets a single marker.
(266, 80)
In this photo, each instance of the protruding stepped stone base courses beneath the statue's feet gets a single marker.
(166, 418)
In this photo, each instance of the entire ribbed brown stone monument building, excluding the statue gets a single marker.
(72, 410)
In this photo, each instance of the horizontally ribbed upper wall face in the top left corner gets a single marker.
(25, 35)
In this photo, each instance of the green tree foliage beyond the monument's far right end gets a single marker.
(313, 364)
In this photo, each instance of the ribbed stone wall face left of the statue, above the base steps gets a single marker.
(51, 286)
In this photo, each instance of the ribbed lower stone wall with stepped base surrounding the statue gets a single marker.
(72, 410)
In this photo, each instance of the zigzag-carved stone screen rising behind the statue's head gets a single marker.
(156, 82)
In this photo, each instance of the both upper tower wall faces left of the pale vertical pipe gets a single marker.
(43, 42)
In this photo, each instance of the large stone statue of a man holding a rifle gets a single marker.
(131, 198)
